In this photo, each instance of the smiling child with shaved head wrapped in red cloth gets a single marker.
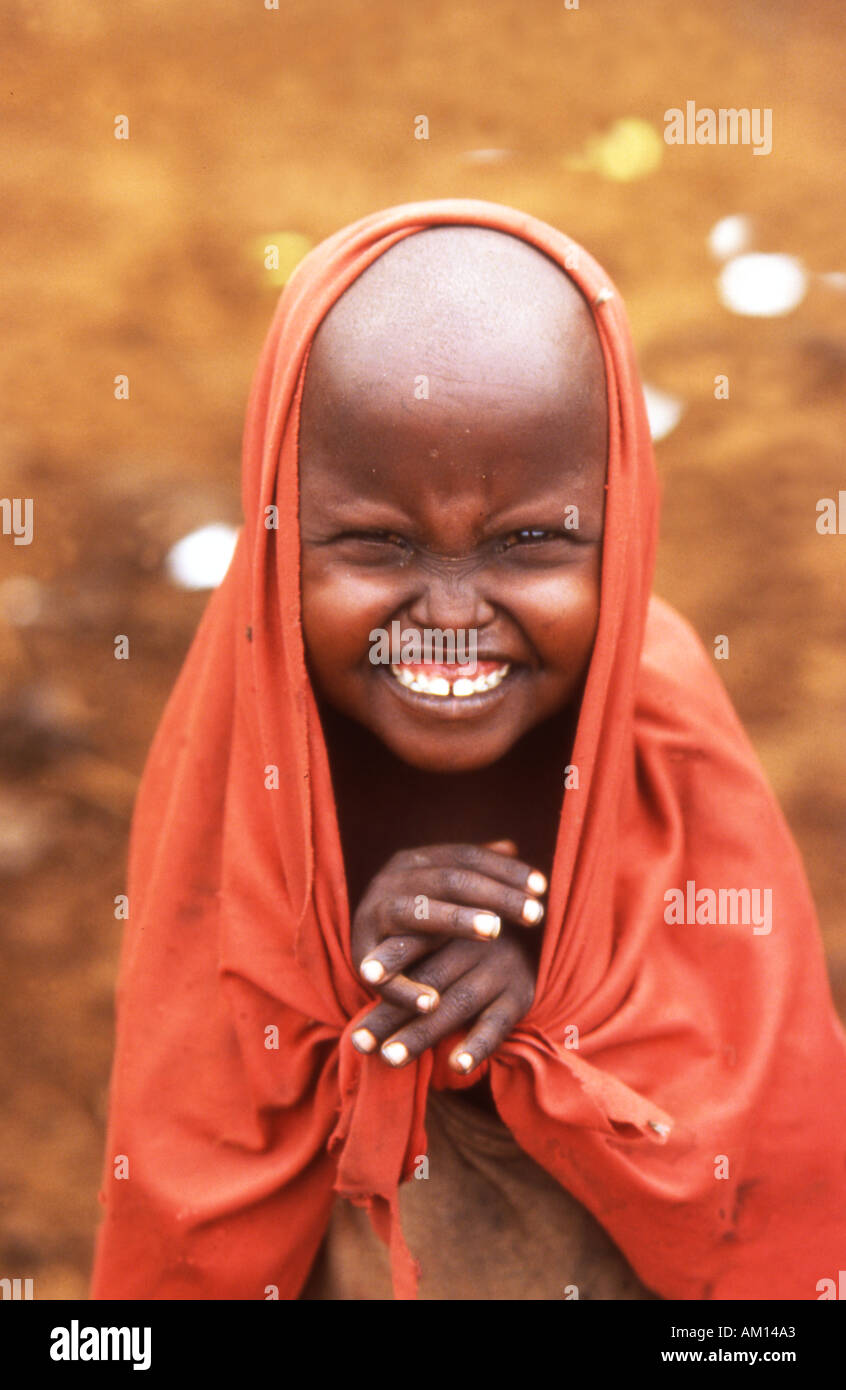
(449, 981)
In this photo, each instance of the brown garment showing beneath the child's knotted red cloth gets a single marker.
(487, 1224)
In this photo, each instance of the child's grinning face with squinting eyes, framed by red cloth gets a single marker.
(452, 512)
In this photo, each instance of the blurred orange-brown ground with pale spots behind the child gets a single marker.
(147, 258)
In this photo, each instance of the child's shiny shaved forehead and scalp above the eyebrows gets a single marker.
(461, 366)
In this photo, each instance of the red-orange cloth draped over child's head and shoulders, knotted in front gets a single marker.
(704, 1115)
